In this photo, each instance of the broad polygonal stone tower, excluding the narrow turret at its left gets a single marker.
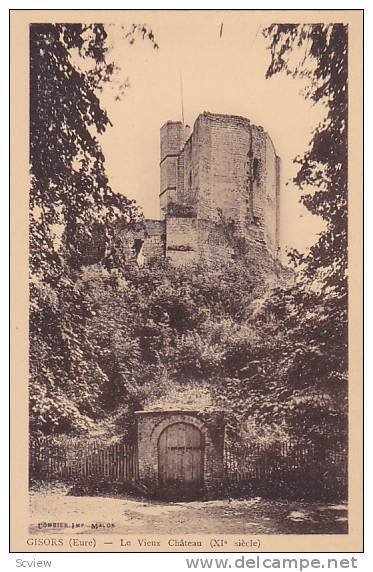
(213, 174)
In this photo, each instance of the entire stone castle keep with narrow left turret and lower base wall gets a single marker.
(226, 169)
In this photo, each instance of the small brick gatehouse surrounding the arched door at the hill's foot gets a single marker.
(192, 451)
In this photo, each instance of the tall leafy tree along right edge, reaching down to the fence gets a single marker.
(310, 389)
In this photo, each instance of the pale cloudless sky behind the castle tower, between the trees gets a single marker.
(219, 74)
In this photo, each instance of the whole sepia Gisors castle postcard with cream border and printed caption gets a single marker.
(186, 192)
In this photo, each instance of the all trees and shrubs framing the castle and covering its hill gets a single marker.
(107, 338)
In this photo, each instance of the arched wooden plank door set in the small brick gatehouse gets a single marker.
(180, 461)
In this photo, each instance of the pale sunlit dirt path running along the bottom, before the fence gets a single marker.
(129, 515)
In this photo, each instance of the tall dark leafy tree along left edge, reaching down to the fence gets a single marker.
(73, 212)
